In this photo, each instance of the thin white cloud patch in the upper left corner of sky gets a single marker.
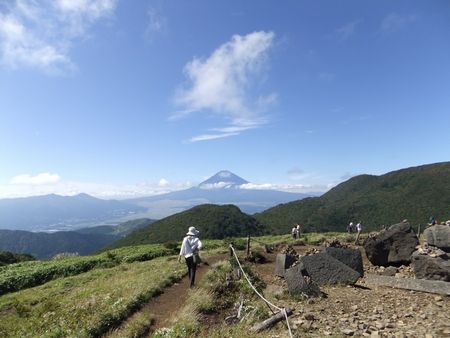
(40, 34)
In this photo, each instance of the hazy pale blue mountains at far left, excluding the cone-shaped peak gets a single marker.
(57, 213)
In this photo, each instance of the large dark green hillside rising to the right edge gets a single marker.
(413, 193)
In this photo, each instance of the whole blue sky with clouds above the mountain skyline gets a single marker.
(122, 98)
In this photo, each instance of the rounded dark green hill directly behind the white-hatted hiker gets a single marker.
(213, 221)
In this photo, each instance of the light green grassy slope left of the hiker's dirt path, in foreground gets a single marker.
(87, 304)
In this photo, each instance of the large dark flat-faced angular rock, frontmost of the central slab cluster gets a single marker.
(324, 269)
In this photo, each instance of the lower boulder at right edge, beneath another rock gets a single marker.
(429, 267)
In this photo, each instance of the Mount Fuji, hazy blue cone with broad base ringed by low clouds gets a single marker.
(222, 188)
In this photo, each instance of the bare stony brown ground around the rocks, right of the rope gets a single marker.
(361, 310)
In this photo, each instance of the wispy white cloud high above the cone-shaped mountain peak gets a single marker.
(222, 85)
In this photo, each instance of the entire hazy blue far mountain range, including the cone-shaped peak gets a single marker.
(53, 213)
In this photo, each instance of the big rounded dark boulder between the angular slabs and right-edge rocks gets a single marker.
(393, 246)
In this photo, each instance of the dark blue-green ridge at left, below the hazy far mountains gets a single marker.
(83, 241)
